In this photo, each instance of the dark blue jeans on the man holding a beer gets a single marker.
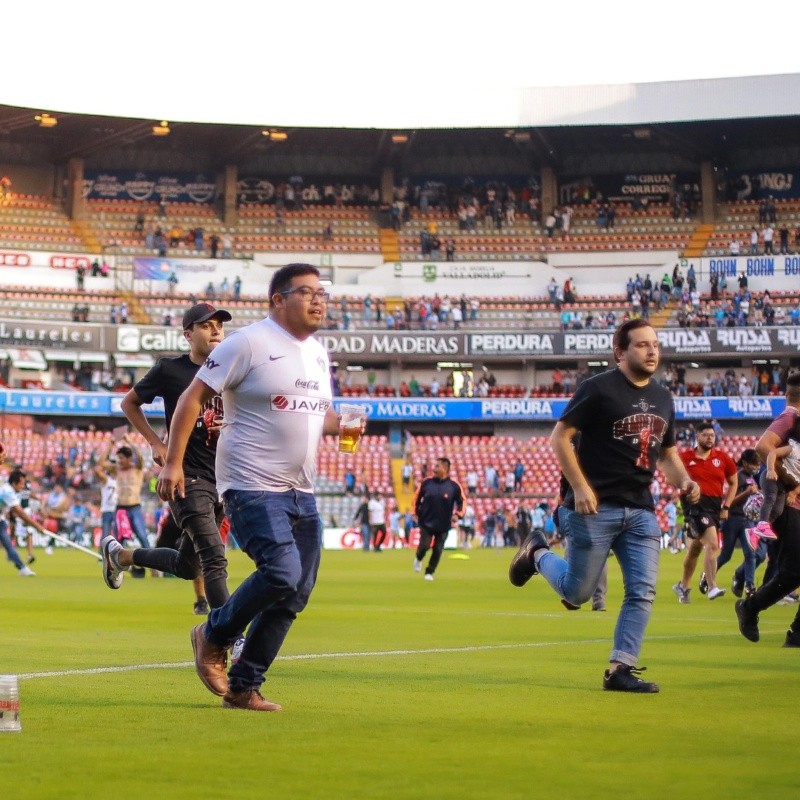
(282, 533)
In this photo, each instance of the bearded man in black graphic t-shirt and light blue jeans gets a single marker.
(626, 427)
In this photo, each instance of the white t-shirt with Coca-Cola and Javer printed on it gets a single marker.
(275, 390)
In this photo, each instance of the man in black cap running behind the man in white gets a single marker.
(198, 514)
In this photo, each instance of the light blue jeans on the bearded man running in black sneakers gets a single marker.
(634, 537)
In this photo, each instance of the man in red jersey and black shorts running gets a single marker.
(715, 471)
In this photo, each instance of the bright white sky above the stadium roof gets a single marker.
(377, 63)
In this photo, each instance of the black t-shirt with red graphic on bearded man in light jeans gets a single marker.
(623, 428)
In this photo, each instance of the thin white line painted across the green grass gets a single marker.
(368, 654)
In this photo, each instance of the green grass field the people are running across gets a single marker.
(392, 687)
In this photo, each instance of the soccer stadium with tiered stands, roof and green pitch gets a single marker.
(476, 273)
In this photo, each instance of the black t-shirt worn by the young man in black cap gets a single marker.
(169, 378)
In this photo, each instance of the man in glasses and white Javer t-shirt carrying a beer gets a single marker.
(274, 379)
